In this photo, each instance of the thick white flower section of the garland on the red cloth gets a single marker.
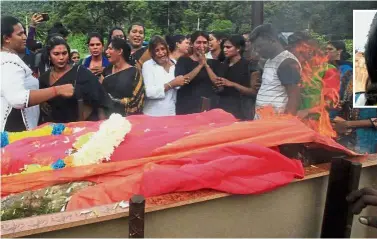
(102, 143)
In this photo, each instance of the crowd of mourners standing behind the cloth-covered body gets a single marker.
(180, 74)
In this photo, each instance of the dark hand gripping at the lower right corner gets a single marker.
(360, 199)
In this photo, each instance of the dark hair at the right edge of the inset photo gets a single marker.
(371, 64)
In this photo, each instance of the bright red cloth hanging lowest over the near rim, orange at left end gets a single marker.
(242, 169)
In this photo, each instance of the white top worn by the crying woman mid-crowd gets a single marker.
(158, 102)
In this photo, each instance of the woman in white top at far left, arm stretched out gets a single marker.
(20, 93)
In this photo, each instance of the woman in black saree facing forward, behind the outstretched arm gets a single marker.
(89, 101)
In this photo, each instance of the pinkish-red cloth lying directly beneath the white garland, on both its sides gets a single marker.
(153, 132)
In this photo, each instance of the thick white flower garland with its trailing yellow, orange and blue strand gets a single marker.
(91, 148)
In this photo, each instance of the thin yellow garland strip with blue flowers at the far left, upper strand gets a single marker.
(52, 129)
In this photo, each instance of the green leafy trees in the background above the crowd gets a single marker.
(182, 17)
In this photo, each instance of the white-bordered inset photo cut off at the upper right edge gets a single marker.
(365, 60)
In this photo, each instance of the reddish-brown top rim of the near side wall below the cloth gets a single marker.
(63, 220)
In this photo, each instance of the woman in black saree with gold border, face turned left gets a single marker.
(123, 82)
